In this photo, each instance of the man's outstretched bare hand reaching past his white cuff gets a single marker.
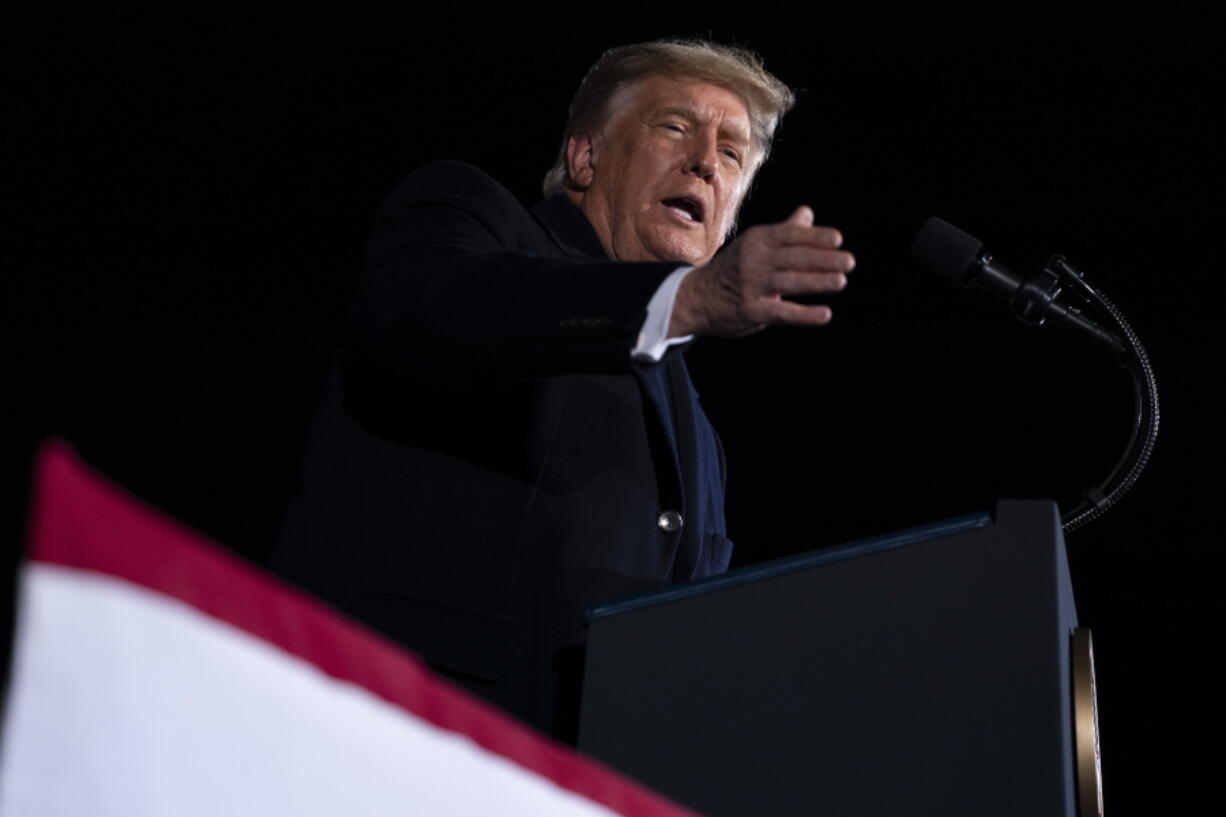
(742, 290)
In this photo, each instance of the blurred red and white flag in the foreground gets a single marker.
(156, 674)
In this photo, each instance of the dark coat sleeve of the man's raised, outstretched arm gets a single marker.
(464, 288)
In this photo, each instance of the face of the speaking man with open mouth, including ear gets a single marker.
(664, 180)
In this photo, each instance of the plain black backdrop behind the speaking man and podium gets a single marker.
(191, 198)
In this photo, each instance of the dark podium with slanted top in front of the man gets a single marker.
(923, 673)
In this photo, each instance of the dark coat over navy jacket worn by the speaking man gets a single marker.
(489, 461)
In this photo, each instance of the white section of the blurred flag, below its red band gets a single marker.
(129, 704)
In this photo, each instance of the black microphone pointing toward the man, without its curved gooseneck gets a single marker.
(959, 258)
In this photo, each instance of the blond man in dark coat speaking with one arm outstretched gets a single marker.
(512, 434)
